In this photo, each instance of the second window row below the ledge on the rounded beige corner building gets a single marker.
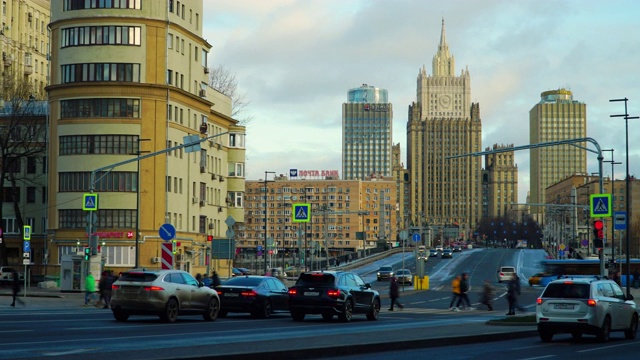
(99, 144)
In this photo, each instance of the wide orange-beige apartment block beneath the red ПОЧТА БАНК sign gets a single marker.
(340, 209)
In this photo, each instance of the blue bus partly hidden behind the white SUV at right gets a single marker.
(555, 268)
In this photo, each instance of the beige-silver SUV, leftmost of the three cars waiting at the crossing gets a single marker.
(164, 293)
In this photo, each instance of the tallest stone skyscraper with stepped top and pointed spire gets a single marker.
(443, 122)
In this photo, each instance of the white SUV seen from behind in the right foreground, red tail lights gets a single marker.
(585, 305)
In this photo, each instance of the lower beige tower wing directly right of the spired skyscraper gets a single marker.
(499, 183)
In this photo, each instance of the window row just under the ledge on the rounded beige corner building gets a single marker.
(100, 108)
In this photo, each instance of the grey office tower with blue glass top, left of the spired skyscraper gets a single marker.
(367, 119)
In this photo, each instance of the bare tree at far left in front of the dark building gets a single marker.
(23, 132)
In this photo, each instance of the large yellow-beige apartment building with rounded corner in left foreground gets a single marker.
(131, 80)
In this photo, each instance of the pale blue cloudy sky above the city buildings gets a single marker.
(295, 61)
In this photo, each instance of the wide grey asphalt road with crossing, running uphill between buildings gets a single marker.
(74, 332)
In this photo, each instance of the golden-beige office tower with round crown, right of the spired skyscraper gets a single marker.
(556, 117)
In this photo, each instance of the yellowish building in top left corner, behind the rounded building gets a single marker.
(24, 38)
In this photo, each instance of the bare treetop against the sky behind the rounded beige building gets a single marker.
(221, 79)
